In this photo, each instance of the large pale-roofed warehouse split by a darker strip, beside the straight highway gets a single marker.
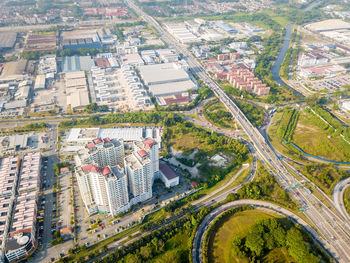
(166, 79)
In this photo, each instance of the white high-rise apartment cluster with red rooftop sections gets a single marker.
(111, 182)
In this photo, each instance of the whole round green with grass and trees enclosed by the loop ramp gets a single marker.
(256, 236)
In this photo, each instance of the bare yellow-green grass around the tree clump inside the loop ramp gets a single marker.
(237, 225)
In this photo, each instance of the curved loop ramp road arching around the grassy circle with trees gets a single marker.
(197, 256)
